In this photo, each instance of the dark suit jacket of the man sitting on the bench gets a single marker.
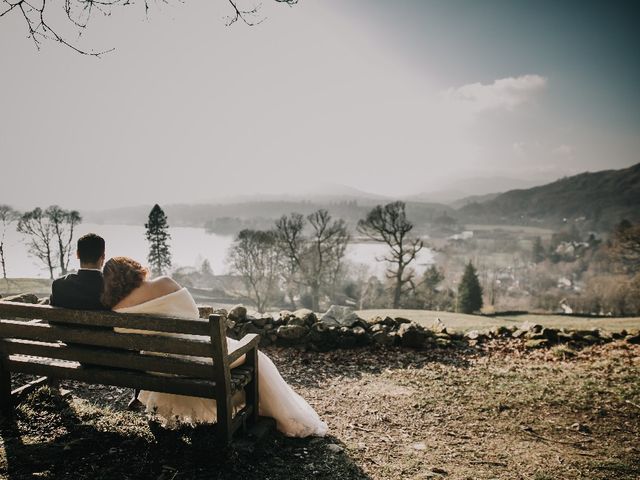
(80, 290)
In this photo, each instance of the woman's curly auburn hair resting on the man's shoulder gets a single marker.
(121, 275)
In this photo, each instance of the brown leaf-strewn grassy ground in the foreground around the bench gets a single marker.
(393, 414)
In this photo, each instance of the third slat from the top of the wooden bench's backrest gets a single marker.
(110, 358)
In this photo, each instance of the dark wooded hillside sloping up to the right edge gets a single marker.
(601, 199)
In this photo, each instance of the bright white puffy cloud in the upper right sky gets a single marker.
(503, 94)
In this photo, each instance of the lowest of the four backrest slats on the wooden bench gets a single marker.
(106, 376)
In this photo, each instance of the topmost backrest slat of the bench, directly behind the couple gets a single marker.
(104, 318)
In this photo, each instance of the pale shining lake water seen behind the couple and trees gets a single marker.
(189, 247)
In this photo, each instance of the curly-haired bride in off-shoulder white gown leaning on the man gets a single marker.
(127, 290)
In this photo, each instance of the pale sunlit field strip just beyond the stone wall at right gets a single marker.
(462, 322)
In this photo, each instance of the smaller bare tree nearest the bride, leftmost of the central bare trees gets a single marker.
(255, 255)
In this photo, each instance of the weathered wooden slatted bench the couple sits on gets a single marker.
(82, 346)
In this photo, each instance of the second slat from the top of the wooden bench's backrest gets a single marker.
(126, 341)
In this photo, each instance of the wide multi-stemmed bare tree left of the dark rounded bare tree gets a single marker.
(313, 261)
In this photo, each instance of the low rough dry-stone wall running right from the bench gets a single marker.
(340, 327)
